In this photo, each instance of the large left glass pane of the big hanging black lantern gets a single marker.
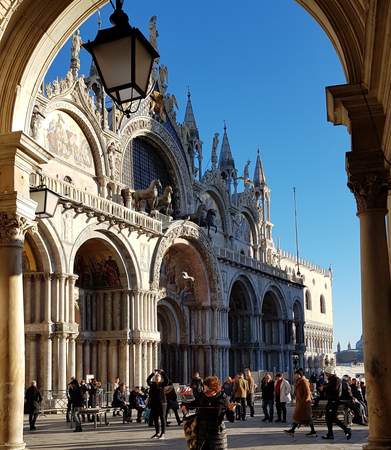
(115, 62)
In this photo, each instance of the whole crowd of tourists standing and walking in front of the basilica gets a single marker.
(211, 402)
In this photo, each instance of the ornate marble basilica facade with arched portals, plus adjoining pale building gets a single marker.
(150, 261)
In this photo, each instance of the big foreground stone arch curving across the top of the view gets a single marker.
(36, 30)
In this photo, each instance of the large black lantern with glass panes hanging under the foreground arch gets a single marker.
(123, 58)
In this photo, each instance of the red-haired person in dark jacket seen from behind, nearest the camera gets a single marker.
(212, 407)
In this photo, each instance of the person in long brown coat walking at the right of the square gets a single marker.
(303, 410)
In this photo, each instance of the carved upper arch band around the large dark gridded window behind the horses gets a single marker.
(145, 126)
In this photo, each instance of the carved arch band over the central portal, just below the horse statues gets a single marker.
(194, 234)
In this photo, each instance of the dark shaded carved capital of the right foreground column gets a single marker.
(368, 179)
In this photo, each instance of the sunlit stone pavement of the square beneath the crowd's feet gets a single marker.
(54, 434)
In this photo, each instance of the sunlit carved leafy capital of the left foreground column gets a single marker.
(13, 228)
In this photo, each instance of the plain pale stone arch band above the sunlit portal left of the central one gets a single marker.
(123, 252)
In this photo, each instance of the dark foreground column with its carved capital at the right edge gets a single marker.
(370, 182)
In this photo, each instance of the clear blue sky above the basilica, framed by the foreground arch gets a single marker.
(262, 66)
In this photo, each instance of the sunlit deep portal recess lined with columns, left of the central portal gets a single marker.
(102, 310)
